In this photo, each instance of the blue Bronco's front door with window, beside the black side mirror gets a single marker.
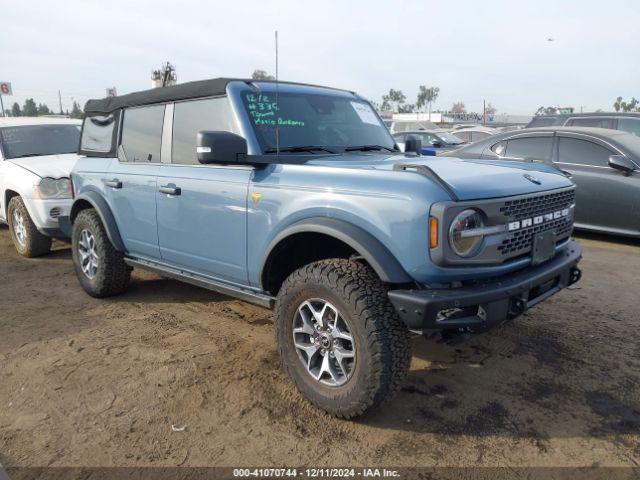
(202, 209)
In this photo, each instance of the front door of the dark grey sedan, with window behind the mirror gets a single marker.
(606, 199)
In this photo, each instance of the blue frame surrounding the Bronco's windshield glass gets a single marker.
(256, 145)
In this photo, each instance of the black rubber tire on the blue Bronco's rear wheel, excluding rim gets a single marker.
(113, 274)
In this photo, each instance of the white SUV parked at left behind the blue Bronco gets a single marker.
(36, 157)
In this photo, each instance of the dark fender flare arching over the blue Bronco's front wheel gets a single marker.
(383, 262)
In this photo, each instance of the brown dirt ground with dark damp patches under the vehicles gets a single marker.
(86, 382)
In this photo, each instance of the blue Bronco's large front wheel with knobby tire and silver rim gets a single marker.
(340, 338)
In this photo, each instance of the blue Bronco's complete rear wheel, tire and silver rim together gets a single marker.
(100, 268)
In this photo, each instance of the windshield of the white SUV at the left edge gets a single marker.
(35, 140)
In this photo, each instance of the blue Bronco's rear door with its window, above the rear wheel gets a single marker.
(131, 181)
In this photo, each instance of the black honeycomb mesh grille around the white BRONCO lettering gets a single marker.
(520, 241)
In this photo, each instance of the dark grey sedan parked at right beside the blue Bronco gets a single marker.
(602, 163)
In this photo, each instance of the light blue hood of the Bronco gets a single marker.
(467, 179)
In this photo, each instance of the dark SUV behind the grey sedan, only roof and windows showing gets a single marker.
(626, 121)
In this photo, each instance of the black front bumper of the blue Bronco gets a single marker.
(479, 307)
